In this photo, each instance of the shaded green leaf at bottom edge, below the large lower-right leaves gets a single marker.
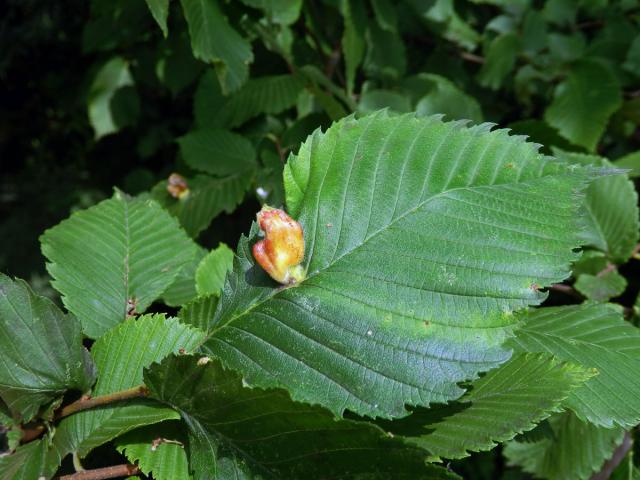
(577, 450)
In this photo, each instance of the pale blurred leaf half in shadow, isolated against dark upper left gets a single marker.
(109, 105)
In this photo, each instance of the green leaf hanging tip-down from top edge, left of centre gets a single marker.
(214, 41)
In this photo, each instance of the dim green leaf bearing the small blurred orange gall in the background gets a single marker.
(208, 197)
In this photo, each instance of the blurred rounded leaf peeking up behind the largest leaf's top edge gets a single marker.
(444, 97)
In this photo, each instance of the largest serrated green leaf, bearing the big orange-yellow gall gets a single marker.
(422, 238)
